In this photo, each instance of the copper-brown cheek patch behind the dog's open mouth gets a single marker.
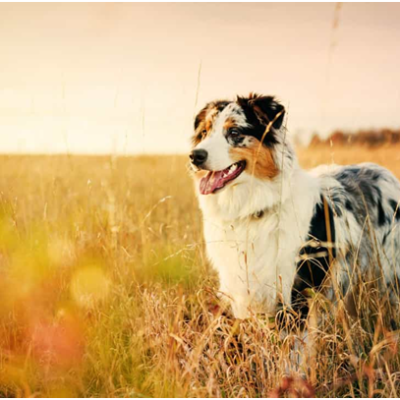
(259, 160)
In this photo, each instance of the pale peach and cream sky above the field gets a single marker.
(129, 78)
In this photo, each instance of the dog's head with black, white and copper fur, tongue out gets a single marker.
(236, 140)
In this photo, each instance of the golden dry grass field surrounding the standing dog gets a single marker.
(106, 291)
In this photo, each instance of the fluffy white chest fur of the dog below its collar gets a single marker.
(256, 256)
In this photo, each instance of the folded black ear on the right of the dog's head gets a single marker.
(267, 110)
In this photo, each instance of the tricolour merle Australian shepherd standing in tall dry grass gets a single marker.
(272, 229)
